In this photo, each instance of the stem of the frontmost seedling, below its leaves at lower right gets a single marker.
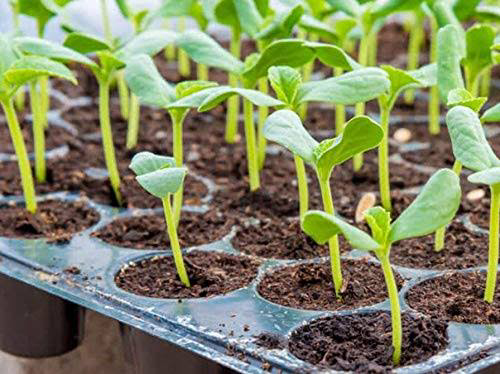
(397, 330)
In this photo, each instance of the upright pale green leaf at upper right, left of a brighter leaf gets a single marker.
(449, 73)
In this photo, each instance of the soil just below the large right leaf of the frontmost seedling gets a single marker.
(463, 249)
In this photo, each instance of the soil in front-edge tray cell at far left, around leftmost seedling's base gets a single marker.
(54, 220)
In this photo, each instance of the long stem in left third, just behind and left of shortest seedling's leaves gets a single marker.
(107, 138)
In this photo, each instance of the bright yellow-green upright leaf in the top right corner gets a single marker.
(479, 40)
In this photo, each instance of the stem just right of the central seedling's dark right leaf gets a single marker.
(383, 160)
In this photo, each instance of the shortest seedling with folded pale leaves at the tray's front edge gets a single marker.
(160, 176)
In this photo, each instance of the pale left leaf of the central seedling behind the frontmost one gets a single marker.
(285, 128)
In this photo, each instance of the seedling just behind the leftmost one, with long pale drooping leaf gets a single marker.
(44, 48)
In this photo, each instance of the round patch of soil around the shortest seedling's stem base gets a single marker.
(210, 274)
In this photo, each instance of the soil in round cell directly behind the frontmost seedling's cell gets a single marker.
(310, 286)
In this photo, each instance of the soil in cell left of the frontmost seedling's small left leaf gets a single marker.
(282, 239)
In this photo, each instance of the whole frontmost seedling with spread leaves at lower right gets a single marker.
(435, 206)
